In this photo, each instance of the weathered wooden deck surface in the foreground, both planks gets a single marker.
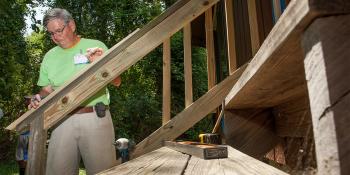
(168, 161)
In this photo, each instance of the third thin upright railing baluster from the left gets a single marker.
(209, 38)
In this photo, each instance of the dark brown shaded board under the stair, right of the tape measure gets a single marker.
(250, 131)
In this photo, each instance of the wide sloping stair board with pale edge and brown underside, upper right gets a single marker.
(276, 73)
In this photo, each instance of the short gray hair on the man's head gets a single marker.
(57, 13)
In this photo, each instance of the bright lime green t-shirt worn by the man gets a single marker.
(58, 67)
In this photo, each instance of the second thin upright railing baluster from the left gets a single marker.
(188, 65)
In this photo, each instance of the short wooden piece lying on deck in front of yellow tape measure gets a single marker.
(200, 150)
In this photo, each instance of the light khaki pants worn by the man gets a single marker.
(83, 136)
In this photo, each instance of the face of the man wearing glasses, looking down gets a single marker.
(61, 33)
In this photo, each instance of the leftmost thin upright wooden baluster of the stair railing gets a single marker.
(166, 81)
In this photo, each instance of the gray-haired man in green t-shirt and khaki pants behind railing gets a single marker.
(88, 133)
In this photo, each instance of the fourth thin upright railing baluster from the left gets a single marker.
(230, 35)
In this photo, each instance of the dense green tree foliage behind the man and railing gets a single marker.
(136, 105)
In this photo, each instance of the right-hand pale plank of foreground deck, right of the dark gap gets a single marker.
(236, 163)
